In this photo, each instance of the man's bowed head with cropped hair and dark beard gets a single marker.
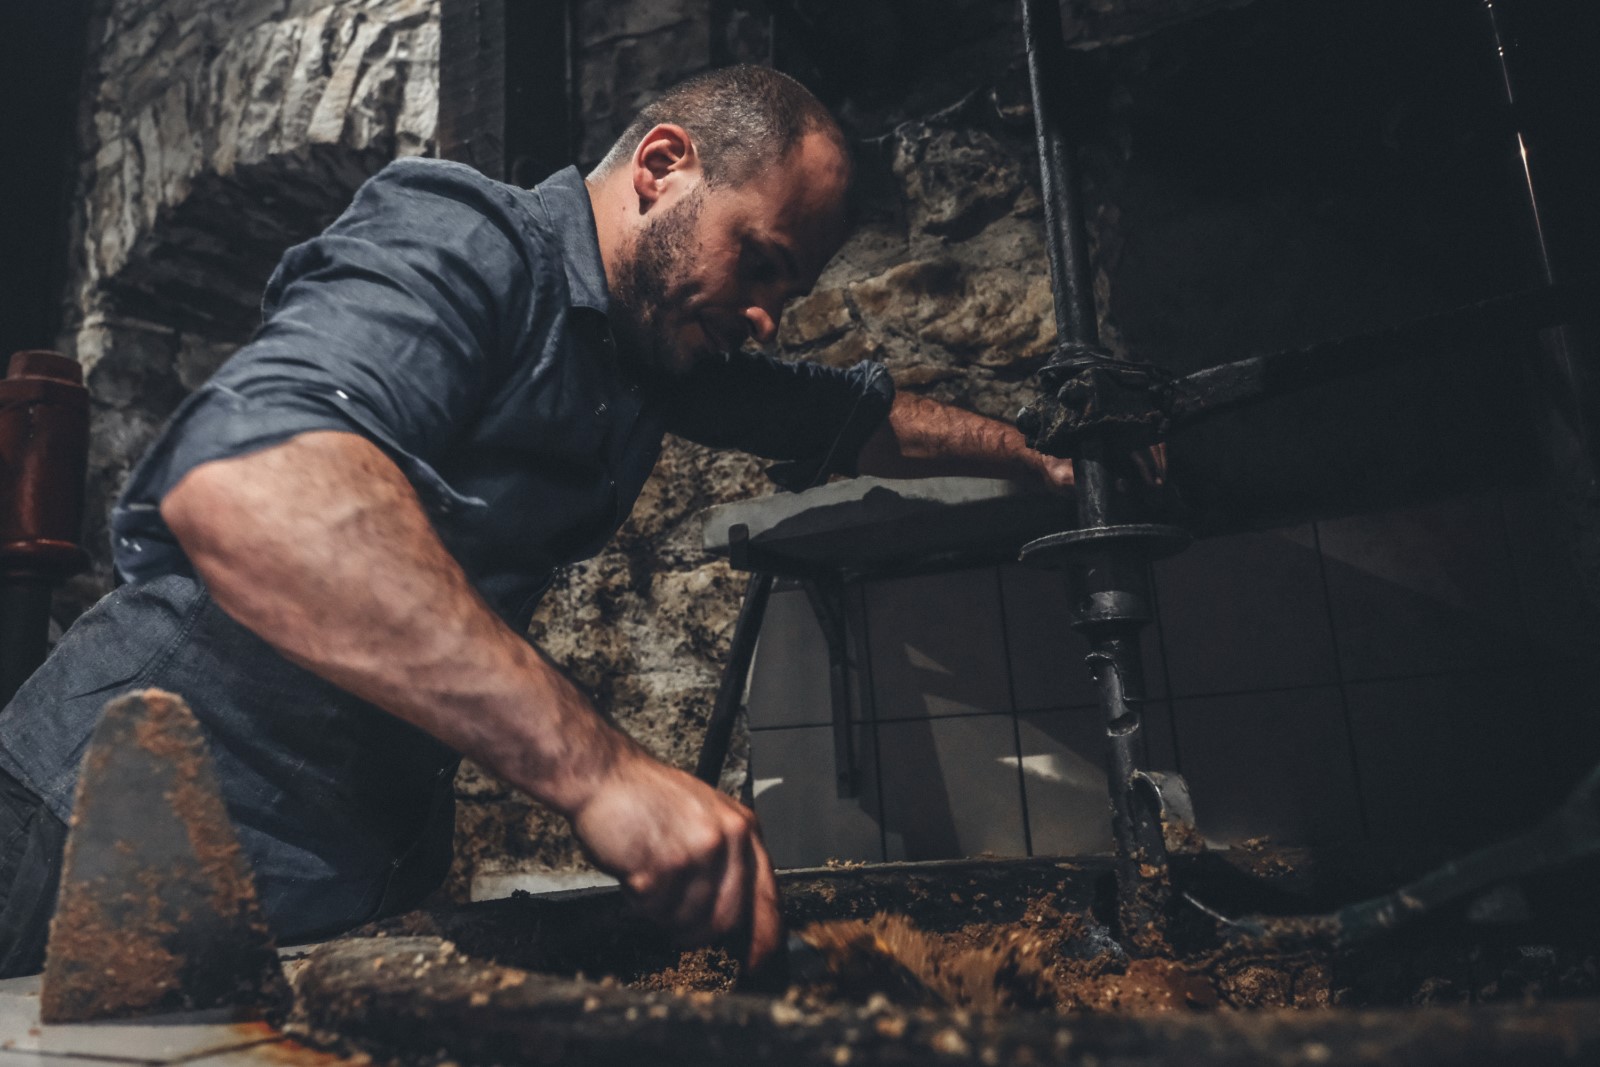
(724, 199)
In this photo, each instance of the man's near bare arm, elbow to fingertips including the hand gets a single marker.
(324, 551)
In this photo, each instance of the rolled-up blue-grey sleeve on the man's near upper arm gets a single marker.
(394, 324)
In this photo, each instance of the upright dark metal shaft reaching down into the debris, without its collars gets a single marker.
(1111, 597)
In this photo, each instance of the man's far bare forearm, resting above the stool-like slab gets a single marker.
(926, 439)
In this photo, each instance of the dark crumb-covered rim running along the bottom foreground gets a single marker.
(420, 1001)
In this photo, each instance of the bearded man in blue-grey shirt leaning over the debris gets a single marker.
(338, 541)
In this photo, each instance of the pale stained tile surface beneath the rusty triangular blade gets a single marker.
(196, 1039)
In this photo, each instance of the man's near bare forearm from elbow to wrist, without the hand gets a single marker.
(322, 548)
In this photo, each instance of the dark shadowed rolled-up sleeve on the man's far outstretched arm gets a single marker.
(810, 417)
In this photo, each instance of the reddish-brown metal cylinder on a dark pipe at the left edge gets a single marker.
(44, 455)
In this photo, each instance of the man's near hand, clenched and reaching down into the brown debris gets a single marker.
(686, 853)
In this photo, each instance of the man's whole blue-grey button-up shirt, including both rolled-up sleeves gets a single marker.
(462, 326)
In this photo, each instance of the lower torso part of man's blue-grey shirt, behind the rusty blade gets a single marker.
(343, 810)
